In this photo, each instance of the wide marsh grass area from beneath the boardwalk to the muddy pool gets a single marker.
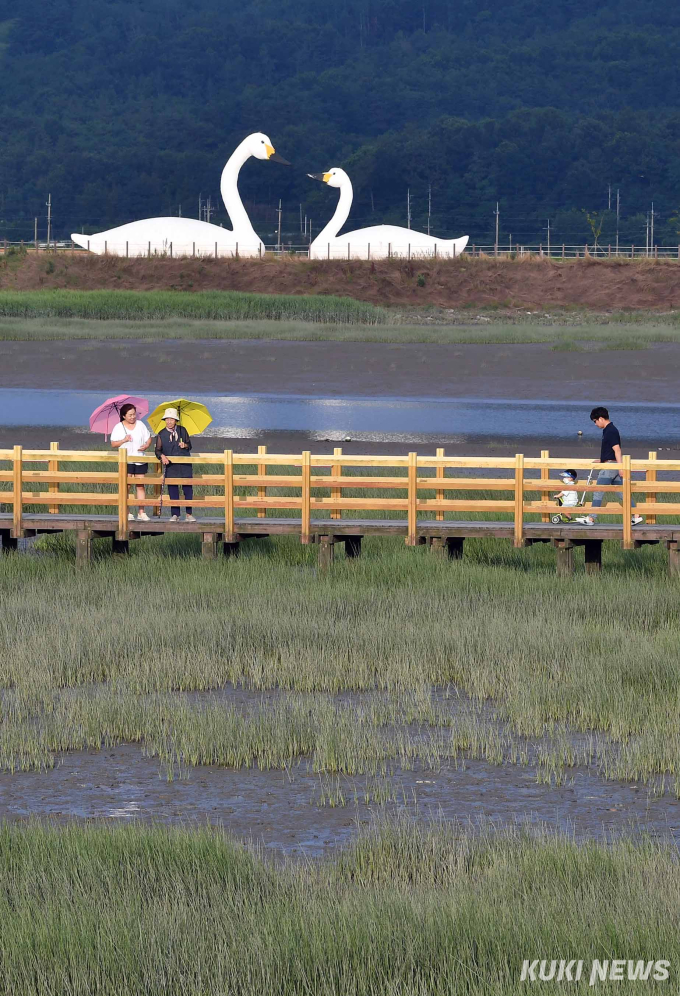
(593, 655)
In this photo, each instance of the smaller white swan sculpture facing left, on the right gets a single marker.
(377, 242)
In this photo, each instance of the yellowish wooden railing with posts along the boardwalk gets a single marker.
(240, 481)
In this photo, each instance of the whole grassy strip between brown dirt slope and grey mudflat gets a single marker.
(62, 314)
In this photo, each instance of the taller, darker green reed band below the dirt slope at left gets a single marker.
(201, 305)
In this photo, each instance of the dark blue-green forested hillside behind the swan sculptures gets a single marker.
(126, 109)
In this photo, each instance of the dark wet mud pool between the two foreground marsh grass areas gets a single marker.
(280, 809)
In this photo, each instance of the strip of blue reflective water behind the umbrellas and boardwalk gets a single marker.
(388, 419)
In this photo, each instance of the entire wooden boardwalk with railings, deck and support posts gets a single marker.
(40, 485)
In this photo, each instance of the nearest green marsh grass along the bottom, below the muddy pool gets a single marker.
(128, 910)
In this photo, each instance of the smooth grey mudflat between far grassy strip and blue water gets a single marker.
(522, 371)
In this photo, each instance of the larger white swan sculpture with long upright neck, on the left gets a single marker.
(186, 236)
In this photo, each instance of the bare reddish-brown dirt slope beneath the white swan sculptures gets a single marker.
(468, 281)
